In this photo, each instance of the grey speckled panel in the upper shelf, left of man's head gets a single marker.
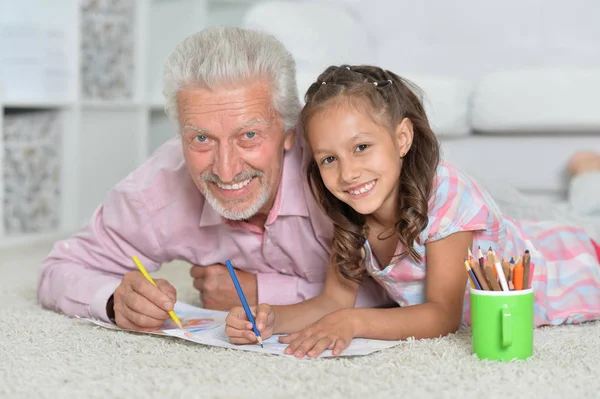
(107, 49)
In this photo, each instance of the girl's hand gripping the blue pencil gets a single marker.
(239, 329)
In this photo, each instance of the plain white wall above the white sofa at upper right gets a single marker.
(468, 38)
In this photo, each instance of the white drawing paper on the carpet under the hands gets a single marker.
(207, 327)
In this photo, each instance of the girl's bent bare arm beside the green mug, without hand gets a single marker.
(441, 313)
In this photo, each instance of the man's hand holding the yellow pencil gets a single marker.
(141, 306)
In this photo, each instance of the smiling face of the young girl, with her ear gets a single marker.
(359, 160)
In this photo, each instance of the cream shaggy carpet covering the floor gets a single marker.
(44, 354)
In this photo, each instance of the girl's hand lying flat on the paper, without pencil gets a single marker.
(334, 331)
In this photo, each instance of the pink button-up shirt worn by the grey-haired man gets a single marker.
(158, 214)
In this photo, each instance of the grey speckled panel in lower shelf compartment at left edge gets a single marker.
(32, 169)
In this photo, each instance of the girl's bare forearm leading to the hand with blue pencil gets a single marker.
(338, 293)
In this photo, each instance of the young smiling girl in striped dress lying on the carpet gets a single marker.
(406, 219)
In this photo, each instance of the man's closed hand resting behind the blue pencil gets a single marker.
(217, 290)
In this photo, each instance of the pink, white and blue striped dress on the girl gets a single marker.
(566, 277)
